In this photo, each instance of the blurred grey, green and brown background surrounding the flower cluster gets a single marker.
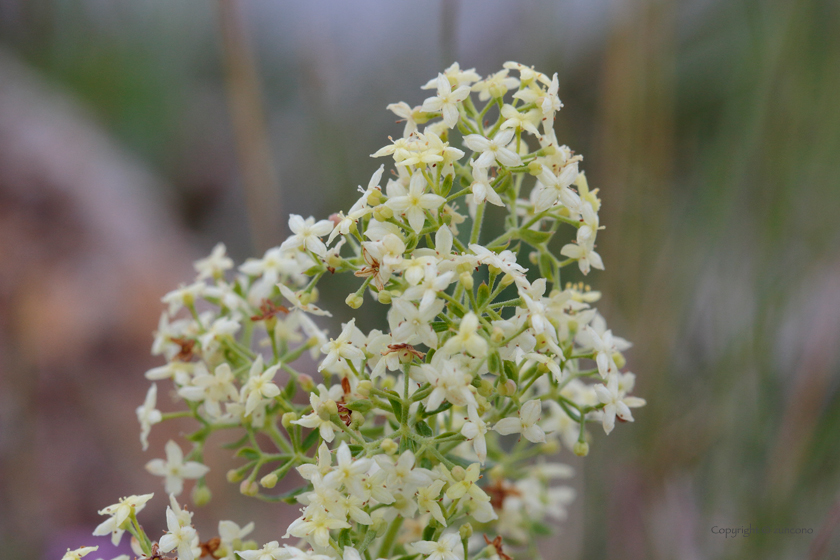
(136, 135)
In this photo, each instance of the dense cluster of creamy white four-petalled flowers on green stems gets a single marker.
(401, 446)
